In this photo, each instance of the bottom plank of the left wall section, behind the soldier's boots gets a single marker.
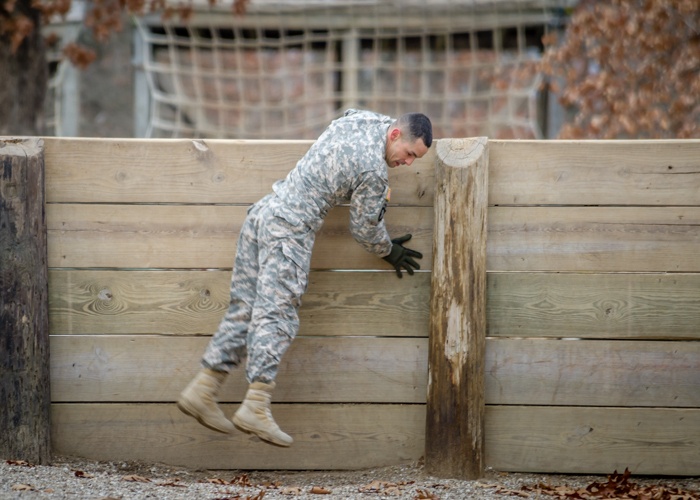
(325, 436)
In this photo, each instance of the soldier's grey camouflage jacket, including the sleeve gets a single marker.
(345, 165)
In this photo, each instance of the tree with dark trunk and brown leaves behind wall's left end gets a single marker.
(23, 63)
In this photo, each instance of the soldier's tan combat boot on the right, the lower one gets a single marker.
(254, 415)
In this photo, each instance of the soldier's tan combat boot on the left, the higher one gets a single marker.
(198, 400)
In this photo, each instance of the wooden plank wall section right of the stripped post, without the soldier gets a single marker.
(593, 361)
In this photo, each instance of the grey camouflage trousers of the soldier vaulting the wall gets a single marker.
(270, 275)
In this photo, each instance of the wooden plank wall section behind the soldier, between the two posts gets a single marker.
(142, 238)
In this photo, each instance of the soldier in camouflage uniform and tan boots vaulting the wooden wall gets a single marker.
(348, 163)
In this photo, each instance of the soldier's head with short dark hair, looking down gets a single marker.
(408, 138)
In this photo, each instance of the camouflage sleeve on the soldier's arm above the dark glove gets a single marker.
(367, 207)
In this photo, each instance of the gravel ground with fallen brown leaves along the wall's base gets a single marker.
(75, 478)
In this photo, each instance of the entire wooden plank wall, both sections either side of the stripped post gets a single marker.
(594, 241)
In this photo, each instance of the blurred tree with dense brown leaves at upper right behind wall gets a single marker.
(629, 69)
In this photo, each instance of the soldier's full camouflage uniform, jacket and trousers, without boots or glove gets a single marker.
(270, 275)
